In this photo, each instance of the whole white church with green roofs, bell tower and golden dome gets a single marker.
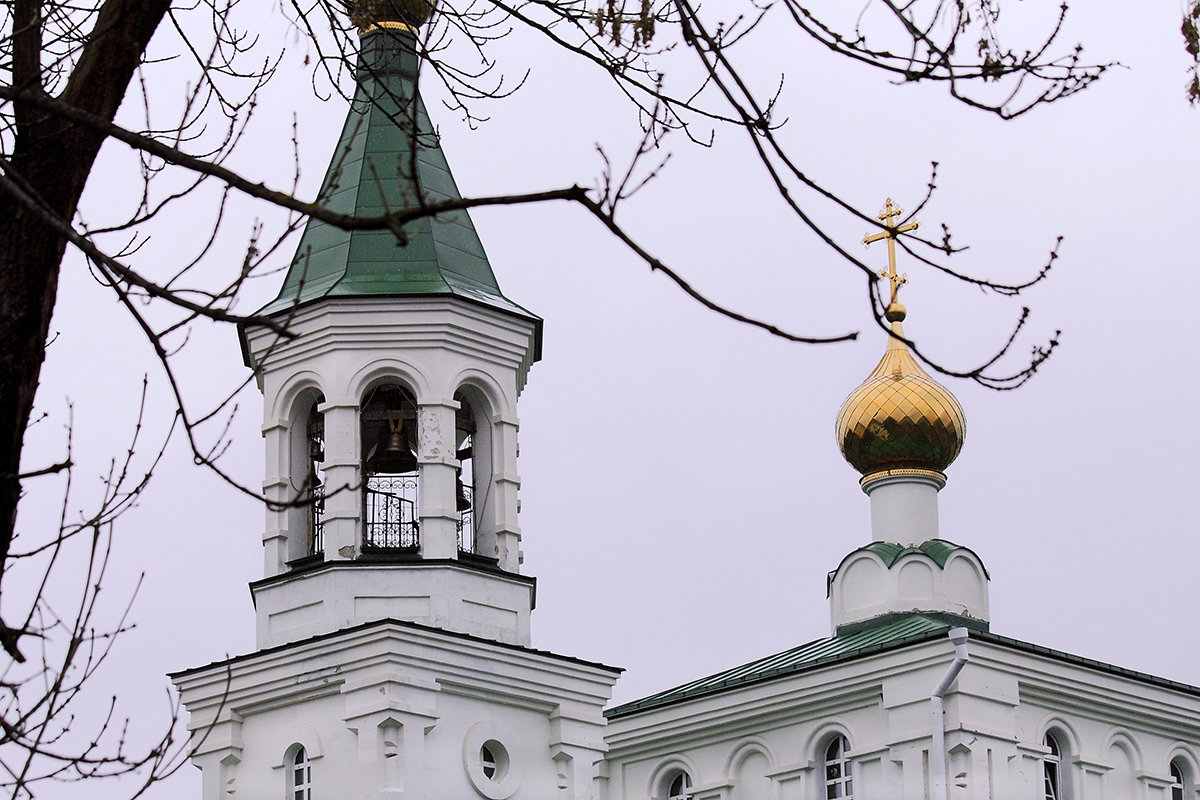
(394, 622)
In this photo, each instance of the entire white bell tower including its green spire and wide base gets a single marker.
(393, 619)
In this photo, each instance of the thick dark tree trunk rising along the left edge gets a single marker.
(52, 160)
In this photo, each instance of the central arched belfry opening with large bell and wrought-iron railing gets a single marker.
(391, 480)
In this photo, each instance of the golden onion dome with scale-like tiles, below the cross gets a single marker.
(901, 419)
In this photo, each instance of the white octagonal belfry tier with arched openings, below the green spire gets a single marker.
(392, 466)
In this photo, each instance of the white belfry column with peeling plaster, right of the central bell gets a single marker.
(436, 456)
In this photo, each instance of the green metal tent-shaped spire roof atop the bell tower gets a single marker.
(375, 171)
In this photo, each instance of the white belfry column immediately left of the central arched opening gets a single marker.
(344, 494)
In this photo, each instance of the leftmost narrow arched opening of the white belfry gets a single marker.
(307, 478)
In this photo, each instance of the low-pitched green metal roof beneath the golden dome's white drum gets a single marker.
(889, 633)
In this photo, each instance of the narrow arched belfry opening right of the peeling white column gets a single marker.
(473, 485)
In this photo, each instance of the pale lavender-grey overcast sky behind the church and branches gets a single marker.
(683, 497)
